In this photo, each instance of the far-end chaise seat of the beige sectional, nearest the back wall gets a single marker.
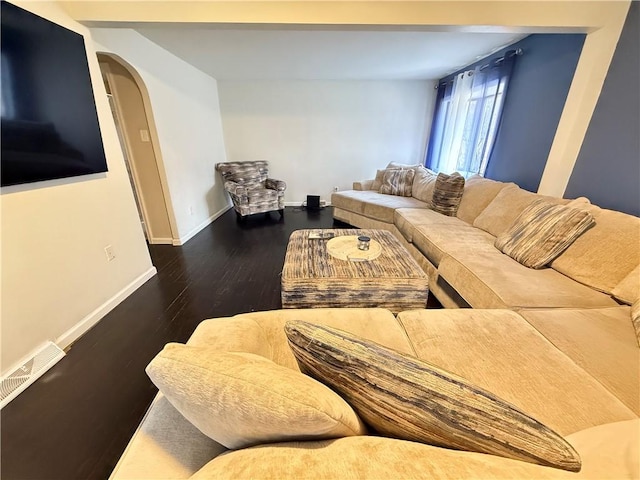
(373, 204)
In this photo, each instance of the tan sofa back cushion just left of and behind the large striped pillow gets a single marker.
(505, 208)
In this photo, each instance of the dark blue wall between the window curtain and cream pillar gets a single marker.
(536, 96)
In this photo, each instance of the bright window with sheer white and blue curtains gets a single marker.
(467, 117)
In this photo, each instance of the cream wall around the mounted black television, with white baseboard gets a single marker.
(56, 281)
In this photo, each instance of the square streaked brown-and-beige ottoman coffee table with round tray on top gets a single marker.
(311, 277)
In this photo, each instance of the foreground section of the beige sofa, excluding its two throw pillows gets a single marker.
(586, 390)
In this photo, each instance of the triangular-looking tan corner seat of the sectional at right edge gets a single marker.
(600, 341)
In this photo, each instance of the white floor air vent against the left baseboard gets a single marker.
(23, 376)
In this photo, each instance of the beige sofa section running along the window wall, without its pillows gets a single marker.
(464, 267)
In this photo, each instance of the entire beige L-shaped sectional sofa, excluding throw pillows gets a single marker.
(558, 343)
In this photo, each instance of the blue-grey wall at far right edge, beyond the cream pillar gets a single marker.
(607, 170)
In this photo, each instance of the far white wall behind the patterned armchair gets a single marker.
(321, 134)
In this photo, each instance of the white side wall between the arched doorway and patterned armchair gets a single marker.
(189, 131)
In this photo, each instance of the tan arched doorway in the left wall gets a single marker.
(133, 117)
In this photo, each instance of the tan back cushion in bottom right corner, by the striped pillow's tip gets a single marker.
(609, 451)
